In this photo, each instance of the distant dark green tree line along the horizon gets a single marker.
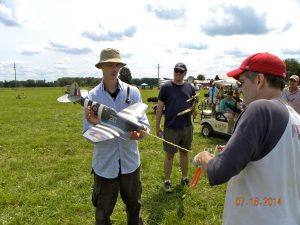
(293, 67)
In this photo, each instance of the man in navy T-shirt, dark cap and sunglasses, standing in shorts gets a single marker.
(177, 129)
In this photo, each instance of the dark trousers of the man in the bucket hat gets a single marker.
(105, 194)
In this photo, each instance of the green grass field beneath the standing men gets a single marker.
(45, 168)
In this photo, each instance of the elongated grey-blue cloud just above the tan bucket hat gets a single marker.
(110, 35)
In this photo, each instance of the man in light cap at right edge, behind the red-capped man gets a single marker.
(292, 93)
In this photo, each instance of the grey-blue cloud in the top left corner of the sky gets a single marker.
(8, 16)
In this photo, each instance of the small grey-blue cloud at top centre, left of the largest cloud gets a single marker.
(166, 13)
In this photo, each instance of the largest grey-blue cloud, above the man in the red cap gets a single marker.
(230, 20)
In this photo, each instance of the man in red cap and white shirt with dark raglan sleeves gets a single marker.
(261, 159)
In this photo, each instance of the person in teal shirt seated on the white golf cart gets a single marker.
(227, 107)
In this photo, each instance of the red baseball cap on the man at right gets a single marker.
(261, 62)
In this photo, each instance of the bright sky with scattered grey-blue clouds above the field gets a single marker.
(48, 40)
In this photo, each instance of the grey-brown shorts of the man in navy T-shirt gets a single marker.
(183, 138)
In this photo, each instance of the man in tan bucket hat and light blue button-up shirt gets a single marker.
(116, 162)
